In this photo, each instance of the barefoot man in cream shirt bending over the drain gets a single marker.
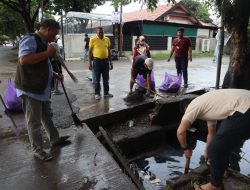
(232, 106)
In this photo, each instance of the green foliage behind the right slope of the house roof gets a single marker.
(200, 11)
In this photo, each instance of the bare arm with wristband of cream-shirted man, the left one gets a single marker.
(181, 135)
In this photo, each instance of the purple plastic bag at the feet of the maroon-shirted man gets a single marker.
(171, 83)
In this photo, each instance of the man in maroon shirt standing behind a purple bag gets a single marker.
(183, 52)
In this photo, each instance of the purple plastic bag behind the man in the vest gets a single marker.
(12, 102)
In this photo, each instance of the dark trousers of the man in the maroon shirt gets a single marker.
(181, 66)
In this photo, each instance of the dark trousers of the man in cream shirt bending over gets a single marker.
(231, 133)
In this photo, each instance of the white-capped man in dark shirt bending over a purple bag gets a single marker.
(143, 66)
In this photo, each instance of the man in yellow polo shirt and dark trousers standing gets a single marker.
(99, 48)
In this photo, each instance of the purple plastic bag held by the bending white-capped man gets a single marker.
(141, 86)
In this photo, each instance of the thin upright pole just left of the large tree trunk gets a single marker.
(221, 45)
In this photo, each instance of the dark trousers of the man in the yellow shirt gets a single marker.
(101, 68)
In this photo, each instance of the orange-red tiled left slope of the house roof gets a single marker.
(146, 14)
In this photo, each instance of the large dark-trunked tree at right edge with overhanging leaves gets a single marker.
(236, 22)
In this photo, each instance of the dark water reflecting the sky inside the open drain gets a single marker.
(169, 162)
